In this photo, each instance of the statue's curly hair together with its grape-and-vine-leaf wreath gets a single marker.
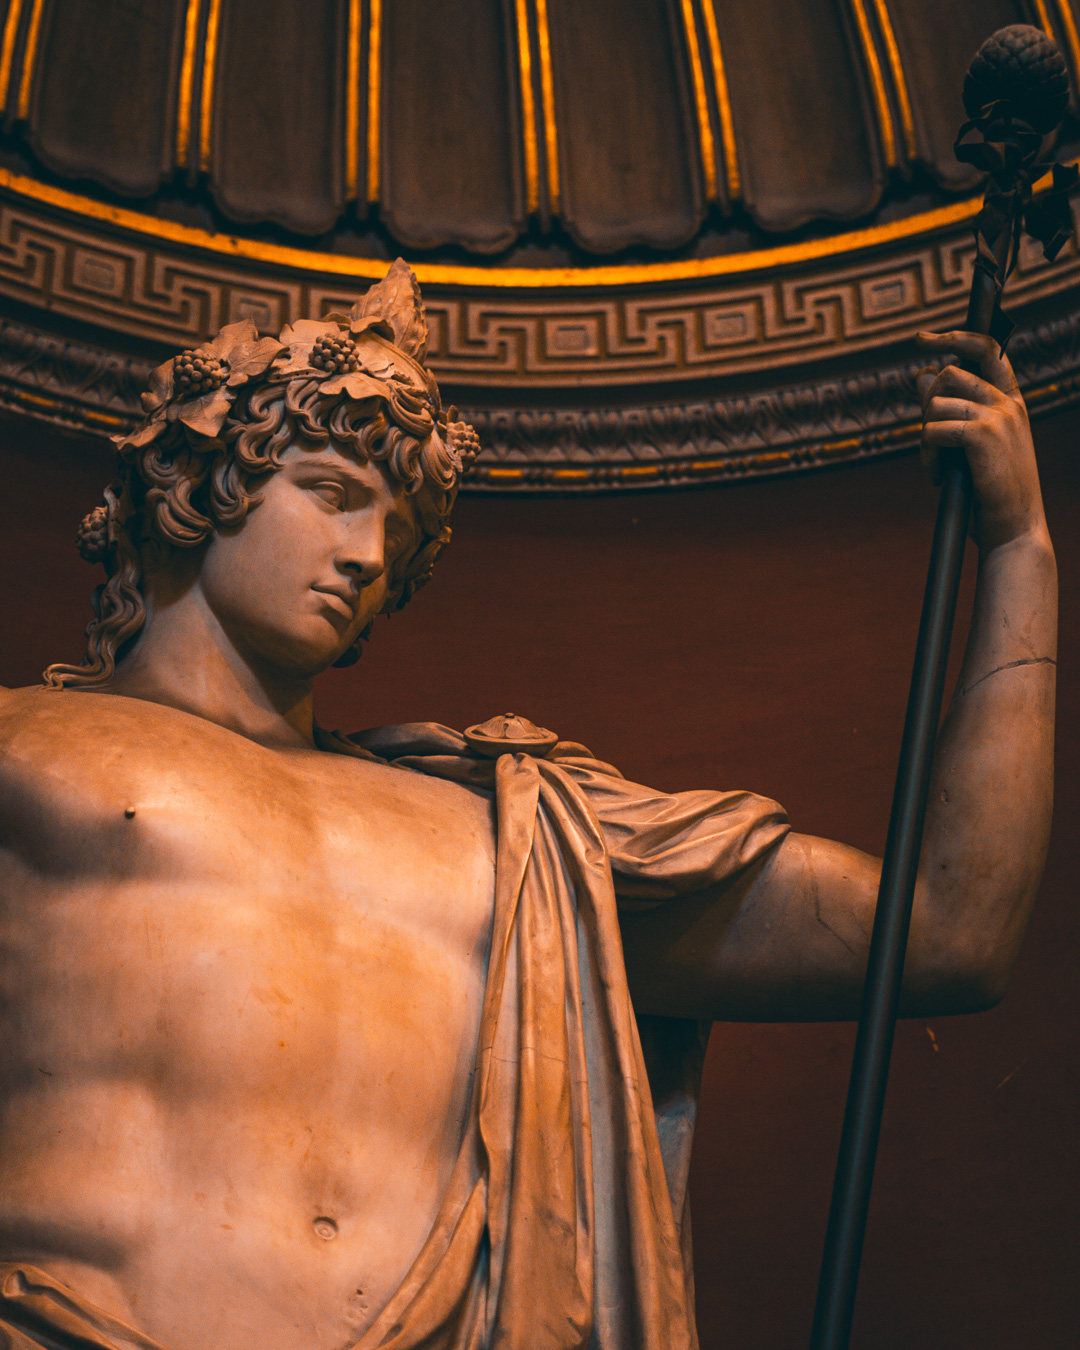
(227, 416)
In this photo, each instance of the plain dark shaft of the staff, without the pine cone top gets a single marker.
(900, 869)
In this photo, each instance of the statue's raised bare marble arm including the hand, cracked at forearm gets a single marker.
(789, 940)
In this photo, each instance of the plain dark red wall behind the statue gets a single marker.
(753, 637)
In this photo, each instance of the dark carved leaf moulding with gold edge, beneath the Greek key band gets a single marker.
(788, 430)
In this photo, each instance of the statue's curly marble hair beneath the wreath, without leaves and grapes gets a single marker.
(173, 493)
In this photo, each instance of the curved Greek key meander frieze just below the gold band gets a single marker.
(735, 327)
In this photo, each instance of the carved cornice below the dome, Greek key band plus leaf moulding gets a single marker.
(707, 380)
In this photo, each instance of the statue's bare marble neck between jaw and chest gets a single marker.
(186, 659)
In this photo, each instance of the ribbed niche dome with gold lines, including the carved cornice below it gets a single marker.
(659, 241)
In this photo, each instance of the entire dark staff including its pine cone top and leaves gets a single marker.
(1016, 95)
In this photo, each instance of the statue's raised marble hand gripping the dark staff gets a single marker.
(986, 418)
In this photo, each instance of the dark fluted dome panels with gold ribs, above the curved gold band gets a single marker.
(574, 130)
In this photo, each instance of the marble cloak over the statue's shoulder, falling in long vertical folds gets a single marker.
(562, 1225)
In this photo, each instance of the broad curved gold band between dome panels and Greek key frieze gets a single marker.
(488, 279)
